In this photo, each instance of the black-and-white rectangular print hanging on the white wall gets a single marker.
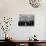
(26, 20)
